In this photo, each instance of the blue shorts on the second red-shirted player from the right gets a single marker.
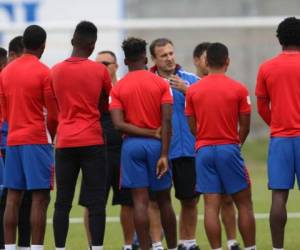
(221, 169)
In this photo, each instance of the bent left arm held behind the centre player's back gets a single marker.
(120, 124)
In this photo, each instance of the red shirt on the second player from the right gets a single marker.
(216, 102)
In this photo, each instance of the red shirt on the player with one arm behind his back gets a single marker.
(140, 95)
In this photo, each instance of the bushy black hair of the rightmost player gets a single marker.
(288, 32)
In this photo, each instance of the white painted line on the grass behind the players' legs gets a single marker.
(258, 216)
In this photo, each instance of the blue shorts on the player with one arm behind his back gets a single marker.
(139, 157)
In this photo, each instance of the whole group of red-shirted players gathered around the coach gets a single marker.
(170, 127)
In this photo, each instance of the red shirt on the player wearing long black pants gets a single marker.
(78, 83)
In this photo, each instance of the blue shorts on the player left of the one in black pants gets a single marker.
(29, 167)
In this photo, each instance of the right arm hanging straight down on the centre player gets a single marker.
(166, 132)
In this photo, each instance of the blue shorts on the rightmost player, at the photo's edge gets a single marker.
(284, 162)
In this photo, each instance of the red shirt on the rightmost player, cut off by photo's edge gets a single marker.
(279, 81)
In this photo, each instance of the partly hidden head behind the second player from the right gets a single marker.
(199, 56)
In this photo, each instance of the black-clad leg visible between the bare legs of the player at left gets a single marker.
(24, 228)
